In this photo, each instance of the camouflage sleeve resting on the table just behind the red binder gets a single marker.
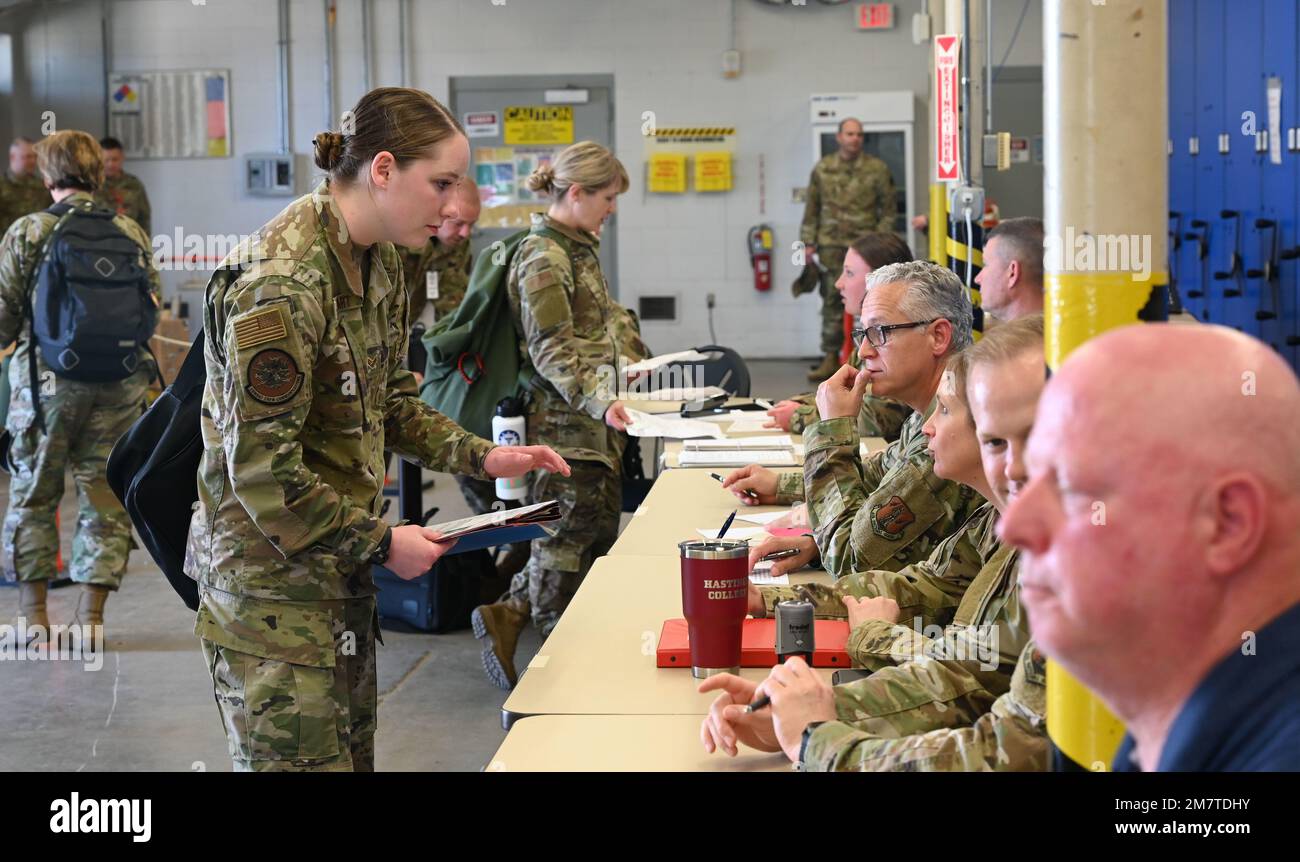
(928, 594)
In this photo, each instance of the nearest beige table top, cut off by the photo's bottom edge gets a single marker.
(621, 744)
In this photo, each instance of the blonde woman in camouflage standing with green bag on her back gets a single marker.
(571, 336)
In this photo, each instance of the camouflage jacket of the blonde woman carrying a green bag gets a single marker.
(571, 335)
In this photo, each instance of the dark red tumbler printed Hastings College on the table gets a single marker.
(714, 601)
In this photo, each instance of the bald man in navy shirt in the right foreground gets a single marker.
(1162, 543)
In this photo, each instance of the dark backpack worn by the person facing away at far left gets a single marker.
(90, 309)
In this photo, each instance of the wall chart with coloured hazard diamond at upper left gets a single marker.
(171, 115)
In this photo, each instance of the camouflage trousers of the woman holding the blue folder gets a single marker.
(281, 717)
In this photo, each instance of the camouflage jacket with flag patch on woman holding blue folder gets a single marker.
(307, 387)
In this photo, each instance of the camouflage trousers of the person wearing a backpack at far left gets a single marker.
(83, 423)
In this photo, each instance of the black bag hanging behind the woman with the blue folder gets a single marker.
(154, 470)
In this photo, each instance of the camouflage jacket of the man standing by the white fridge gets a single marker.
(847, 200)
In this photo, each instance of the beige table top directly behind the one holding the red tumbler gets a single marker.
(681, 503)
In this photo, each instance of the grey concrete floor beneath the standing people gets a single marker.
(150, 707)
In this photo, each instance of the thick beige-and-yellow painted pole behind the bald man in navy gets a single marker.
(1106, 205)
